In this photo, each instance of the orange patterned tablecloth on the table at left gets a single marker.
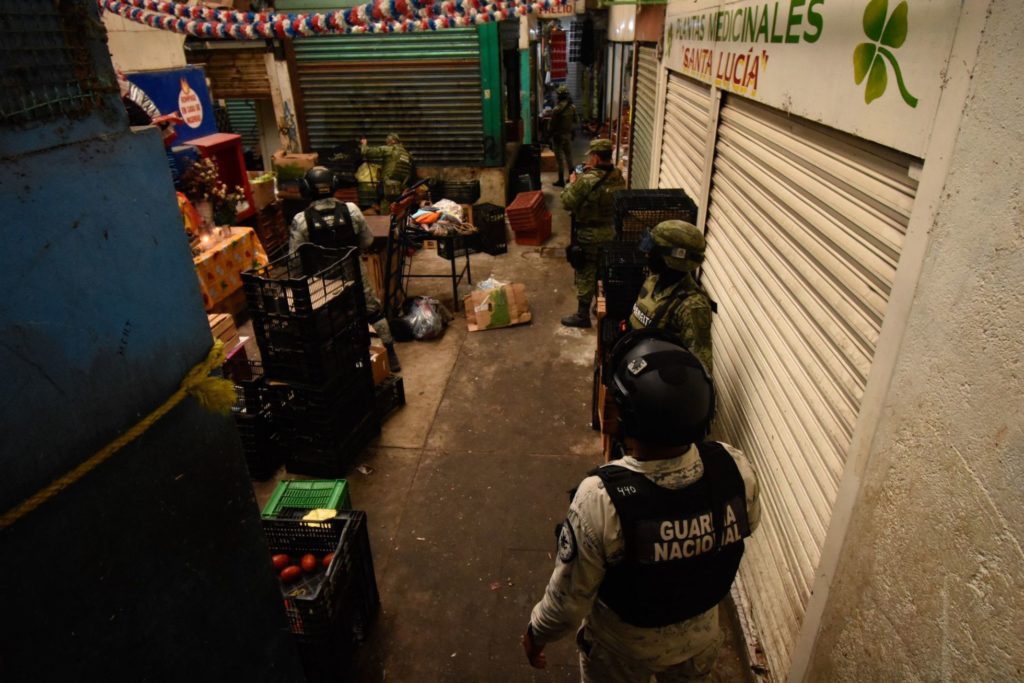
(221, 265)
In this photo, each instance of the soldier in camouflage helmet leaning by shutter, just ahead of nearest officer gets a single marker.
(671, 298)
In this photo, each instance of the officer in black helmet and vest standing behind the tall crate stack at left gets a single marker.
(331, 223)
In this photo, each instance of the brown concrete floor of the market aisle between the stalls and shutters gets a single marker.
(467, 482)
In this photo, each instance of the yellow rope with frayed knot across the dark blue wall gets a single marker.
(214, 394)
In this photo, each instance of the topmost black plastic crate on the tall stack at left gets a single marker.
(304, 282)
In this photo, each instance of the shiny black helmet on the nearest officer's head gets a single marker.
(664, 393)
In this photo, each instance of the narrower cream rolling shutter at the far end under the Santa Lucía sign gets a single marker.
(688, 112)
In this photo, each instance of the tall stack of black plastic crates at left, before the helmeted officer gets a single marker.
(309, 314)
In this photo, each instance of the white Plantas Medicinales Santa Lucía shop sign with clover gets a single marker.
(872, 68)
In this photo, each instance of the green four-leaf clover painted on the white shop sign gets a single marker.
(868, 58)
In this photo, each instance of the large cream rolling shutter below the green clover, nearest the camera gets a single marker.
(805, 229)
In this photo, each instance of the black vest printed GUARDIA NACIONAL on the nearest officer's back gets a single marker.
(684, 546)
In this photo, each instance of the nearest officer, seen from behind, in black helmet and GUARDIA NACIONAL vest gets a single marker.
(653, 541)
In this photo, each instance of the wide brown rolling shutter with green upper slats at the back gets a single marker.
(424, 87)
